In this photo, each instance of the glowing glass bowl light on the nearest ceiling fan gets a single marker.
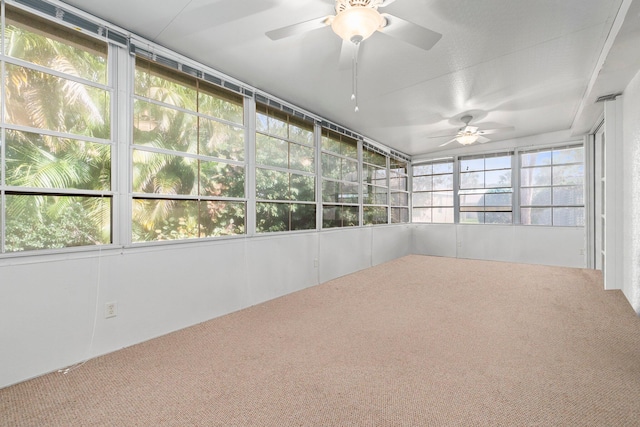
(357, 23)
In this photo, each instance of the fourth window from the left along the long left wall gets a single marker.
(340, 183)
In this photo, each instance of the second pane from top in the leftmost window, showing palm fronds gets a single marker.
(44, 101)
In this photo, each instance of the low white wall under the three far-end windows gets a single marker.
(562, 246)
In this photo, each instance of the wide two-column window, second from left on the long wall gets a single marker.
(188, 157)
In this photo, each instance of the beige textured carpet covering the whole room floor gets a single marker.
(419, 341)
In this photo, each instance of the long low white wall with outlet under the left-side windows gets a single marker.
(48, 302)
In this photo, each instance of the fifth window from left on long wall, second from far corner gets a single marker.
(375, 188)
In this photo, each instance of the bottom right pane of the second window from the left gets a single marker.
(221, 218)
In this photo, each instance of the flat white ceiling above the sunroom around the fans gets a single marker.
(535, 65)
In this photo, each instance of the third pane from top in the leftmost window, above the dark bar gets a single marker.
(41, 161)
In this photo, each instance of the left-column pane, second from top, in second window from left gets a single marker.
(166, 128)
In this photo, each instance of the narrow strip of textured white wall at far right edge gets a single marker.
(631, 193)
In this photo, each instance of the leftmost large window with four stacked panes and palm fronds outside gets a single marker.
(56, 164)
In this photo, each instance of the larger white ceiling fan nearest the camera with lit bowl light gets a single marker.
(356, 20)
